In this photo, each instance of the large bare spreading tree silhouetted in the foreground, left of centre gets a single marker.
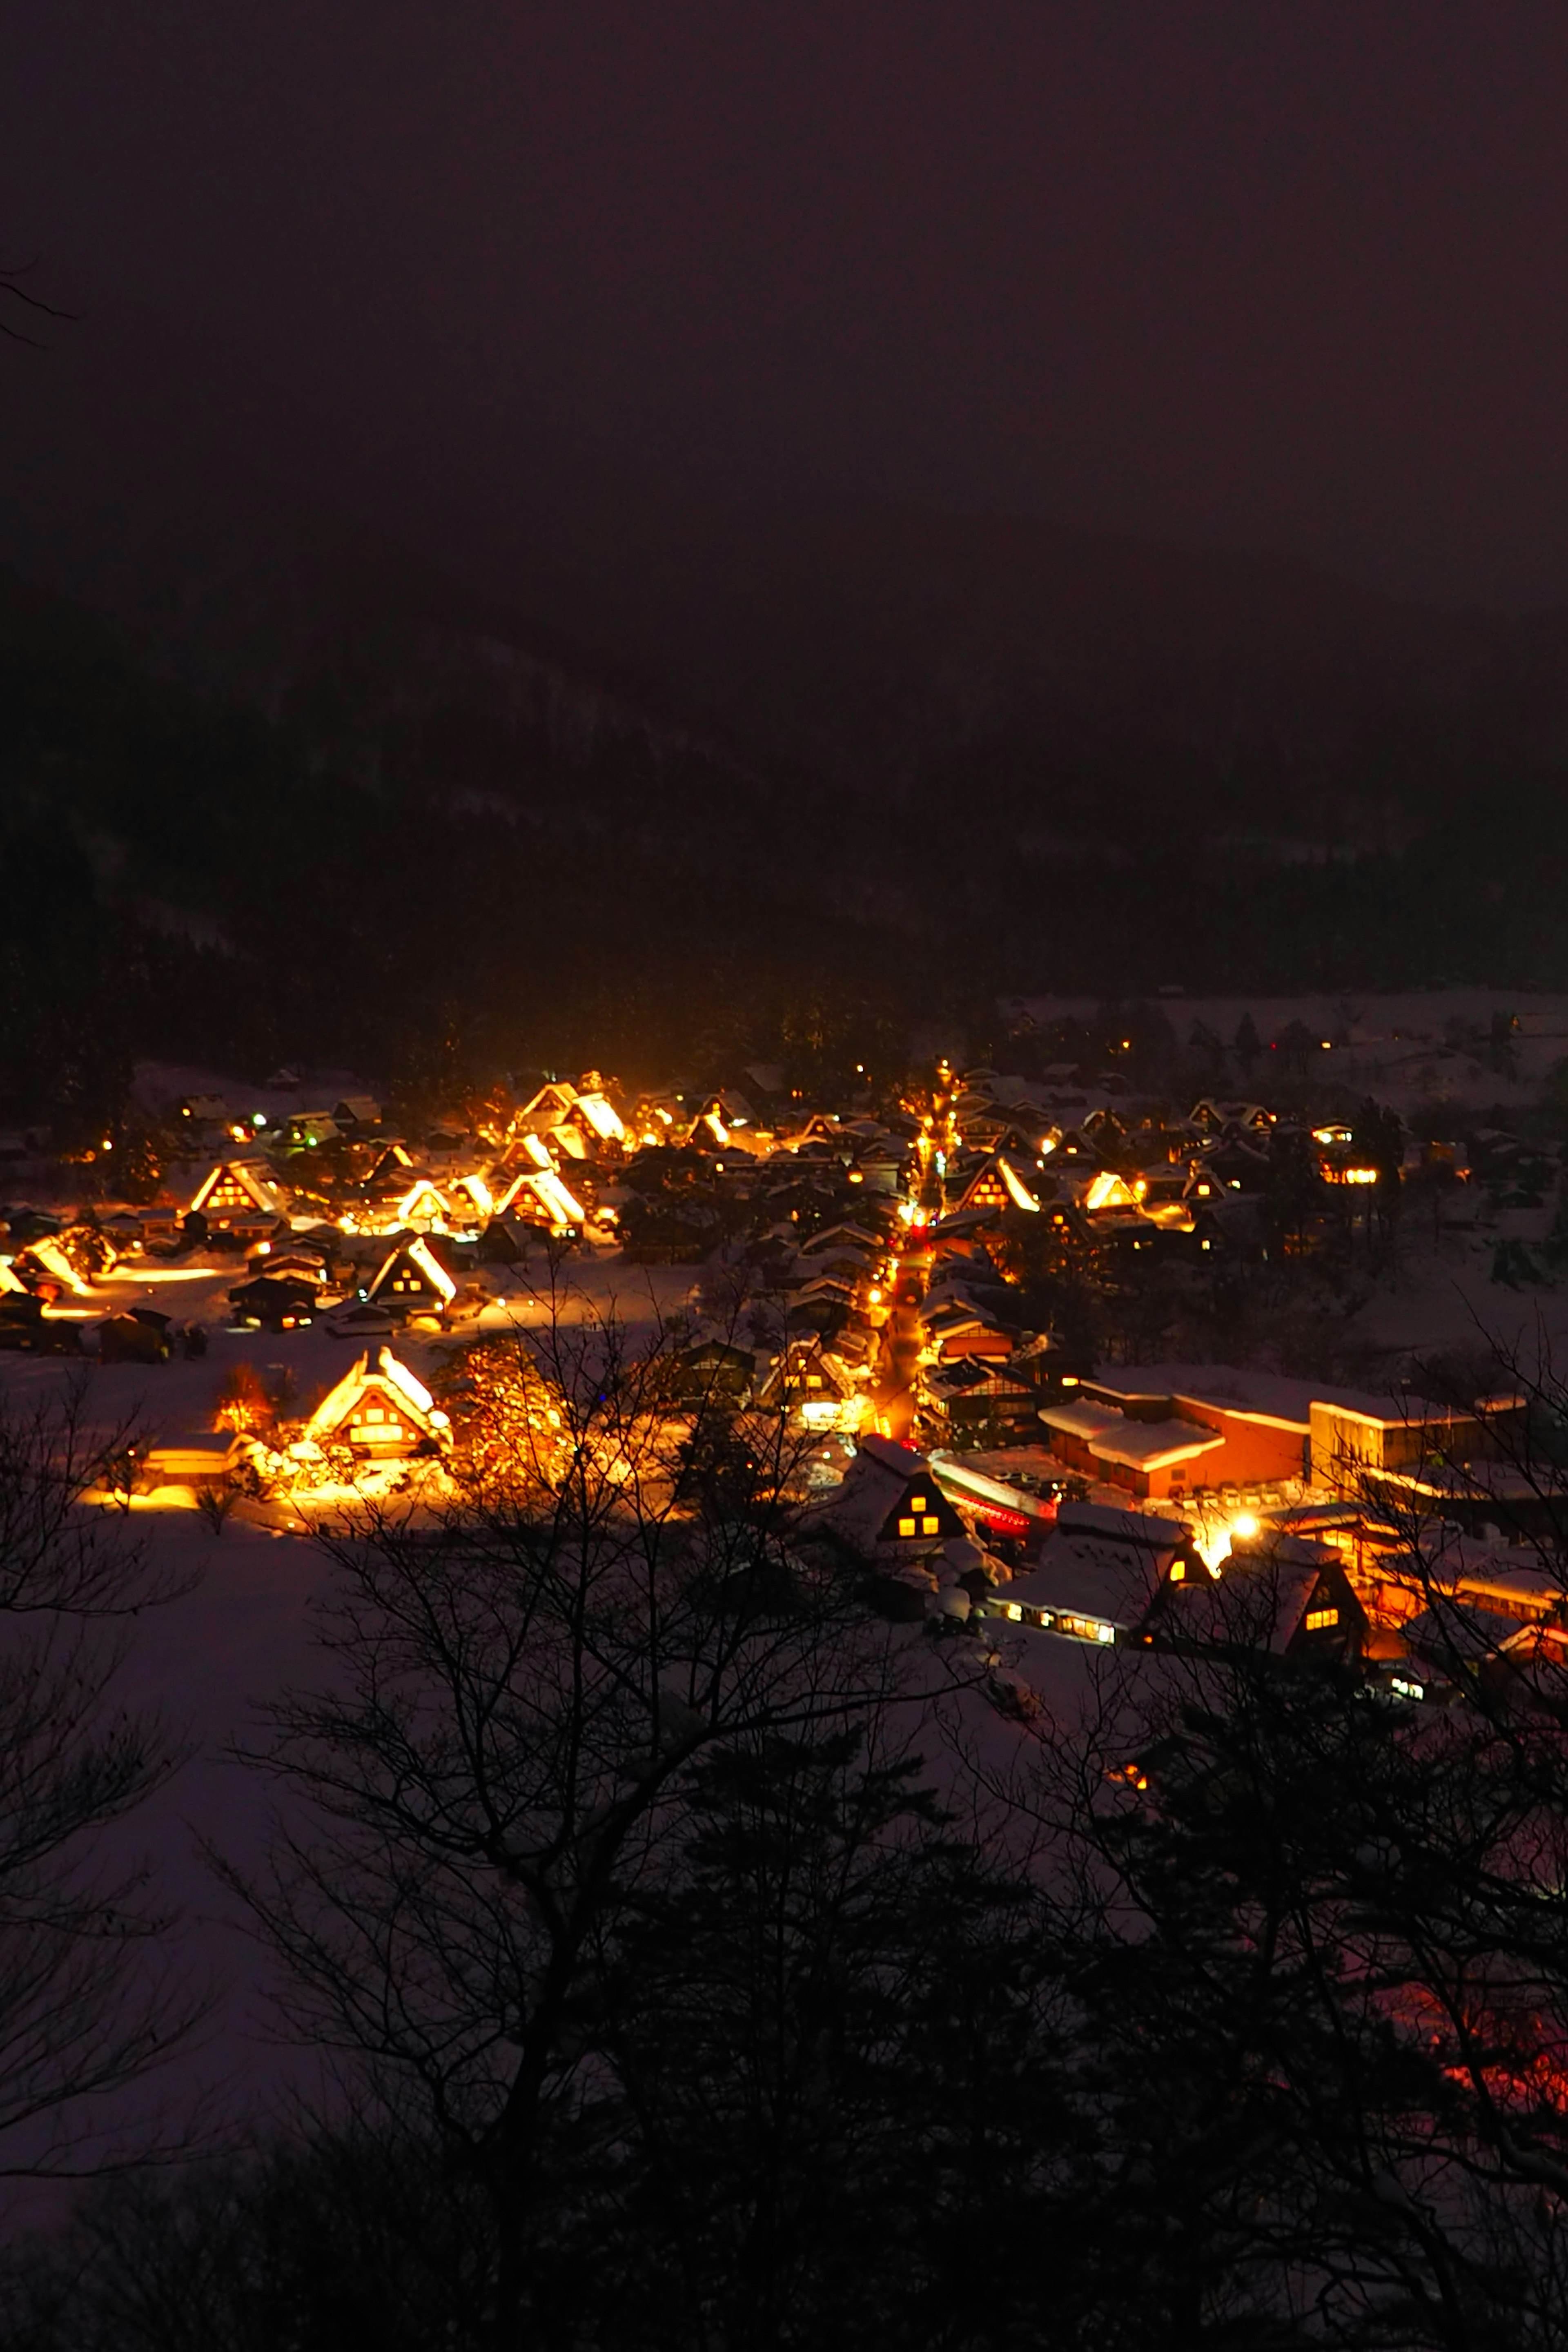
(521, 1692)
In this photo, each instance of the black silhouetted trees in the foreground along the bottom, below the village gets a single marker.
(1271, 2054)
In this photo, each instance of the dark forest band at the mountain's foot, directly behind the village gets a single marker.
(401, 869)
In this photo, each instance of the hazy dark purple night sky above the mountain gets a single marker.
(1280, 272)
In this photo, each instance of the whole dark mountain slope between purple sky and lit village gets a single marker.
(304, 794)
